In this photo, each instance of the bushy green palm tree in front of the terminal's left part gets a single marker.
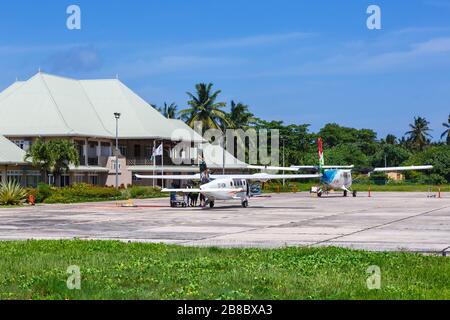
(54, 156)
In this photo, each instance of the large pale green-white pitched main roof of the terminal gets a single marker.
(48, 105)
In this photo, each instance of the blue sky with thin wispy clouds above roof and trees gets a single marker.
(299, 61)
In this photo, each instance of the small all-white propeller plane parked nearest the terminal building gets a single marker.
(226, 187)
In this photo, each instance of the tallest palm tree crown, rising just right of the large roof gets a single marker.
(204, 108)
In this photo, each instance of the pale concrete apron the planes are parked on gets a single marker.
(387, 221)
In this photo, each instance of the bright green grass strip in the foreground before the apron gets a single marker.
(115, 270)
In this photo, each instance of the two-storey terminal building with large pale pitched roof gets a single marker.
(52, 107)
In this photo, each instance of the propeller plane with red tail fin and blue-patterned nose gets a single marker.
(340, 177)
